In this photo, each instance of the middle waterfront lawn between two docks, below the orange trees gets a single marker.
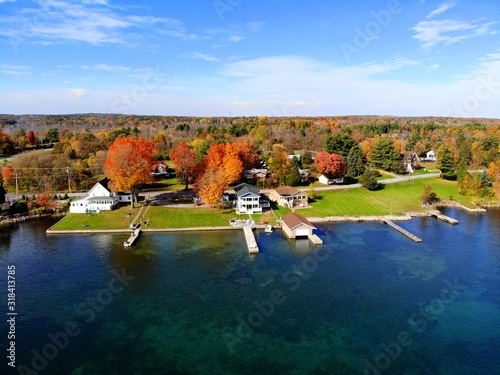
(166, 217)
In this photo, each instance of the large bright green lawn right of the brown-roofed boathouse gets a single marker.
(396, 198)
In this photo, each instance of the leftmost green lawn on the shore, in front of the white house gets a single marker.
(115, 219)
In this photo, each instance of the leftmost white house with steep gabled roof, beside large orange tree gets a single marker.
(99, 198)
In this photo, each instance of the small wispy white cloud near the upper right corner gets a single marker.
(447, 32)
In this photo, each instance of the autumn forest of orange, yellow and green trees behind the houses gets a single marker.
(212, 153)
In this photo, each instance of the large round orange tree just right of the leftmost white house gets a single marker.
(128, 164)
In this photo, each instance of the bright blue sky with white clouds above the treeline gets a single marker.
(251, 58)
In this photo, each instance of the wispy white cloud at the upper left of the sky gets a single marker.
(92, 21)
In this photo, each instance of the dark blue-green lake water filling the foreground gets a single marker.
(369, 301)
